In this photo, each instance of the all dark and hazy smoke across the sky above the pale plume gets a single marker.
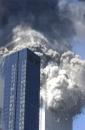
(60, 21)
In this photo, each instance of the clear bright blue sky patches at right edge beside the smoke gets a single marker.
(79, 121)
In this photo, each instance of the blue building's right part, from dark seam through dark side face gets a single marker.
(27, 113)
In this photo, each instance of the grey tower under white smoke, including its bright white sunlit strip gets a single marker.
(49, 120)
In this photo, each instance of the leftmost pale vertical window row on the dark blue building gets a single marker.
(12, 98)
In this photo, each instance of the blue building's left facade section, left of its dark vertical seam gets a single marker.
(10, 86)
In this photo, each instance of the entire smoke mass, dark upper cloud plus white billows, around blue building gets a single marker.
(48, 28)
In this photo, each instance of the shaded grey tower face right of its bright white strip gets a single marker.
(57, 122)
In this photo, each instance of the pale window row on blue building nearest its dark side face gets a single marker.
(22, 95)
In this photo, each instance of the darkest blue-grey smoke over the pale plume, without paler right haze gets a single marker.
(43, 16)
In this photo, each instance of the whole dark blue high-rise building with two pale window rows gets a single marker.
(21, 93)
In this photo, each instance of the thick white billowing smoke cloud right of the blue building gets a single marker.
(65, 91)
